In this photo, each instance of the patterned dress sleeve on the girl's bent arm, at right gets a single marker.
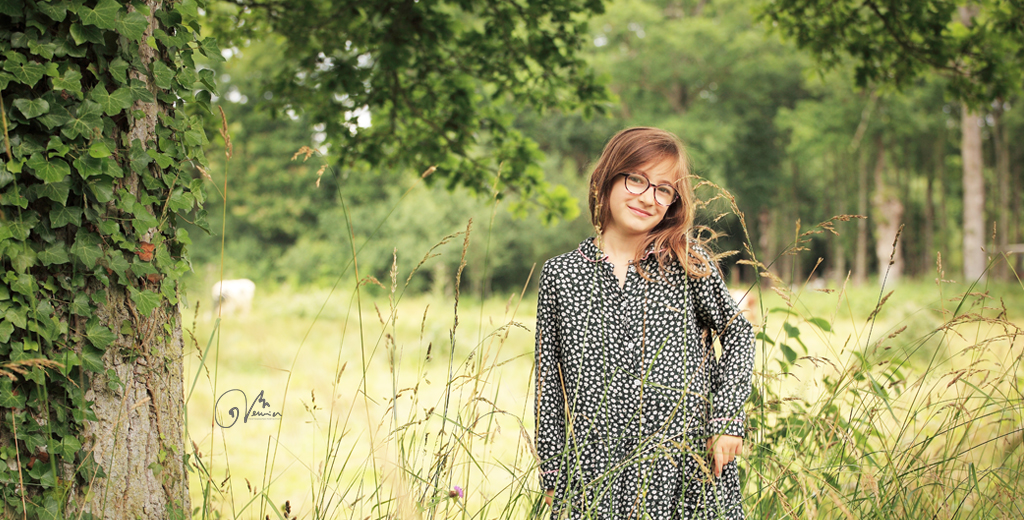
(731, 380)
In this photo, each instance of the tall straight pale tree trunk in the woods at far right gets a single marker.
(974, 197)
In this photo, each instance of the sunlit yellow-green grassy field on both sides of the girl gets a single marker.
(393, 407)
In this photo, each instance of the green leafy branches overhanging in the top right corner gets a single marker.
(899, 42)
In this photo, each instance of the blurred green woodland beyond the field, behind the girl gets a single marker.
(794, 142)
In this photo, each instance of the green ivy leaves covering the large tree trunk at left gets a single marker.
(90, 206)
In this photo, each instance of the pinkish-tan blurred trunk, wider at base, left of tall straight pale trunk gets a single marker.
(888, 212)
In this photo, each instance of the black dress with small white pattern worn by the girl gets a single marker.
(629, 389)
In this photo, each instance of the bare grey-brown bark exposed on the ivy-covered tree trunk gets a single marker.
(139, 436)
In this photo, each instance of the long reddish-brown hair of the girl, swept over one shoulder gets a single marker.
(673, 237)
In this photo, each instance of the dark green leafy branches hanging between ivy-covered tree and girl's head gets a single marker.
(420, 84)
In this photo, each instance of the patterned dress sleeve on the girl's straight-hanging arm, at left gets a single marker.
(550, 397)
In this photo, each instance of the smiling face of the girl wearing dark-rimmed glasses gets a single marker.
(633, 215)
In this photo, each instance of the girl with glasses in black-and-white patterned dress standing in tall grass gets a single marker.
(629, 391)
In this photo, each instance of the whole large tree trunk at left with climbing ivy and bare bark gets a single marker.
(95, 174)
